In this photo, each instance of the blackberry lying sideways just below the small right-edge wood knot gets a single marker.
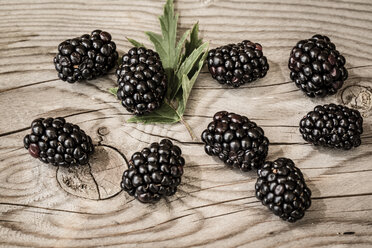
(332, 125)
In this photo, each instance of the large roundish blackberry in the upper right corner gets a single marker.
(317, 68)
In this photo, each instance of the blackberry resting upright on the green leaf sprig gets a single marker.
(142, 81)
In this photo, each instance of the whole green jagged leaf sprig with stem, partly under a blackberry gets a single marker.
(182, 62)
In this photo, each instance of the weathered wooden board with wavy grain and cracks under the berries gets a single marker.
(44, 206)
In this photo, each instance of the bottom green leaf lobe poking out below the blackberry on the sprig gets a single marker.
(164, 114)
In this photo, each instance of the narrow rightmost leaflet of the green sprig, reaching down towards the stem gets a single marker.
(187, 83)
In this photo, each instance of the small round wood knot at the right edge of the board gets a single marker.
(358, 97)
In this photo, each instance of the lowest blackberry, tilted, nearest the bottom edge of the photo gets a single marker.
(281, 187)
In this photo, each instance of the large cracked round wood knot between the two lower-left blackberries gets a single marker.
(98, 180)
